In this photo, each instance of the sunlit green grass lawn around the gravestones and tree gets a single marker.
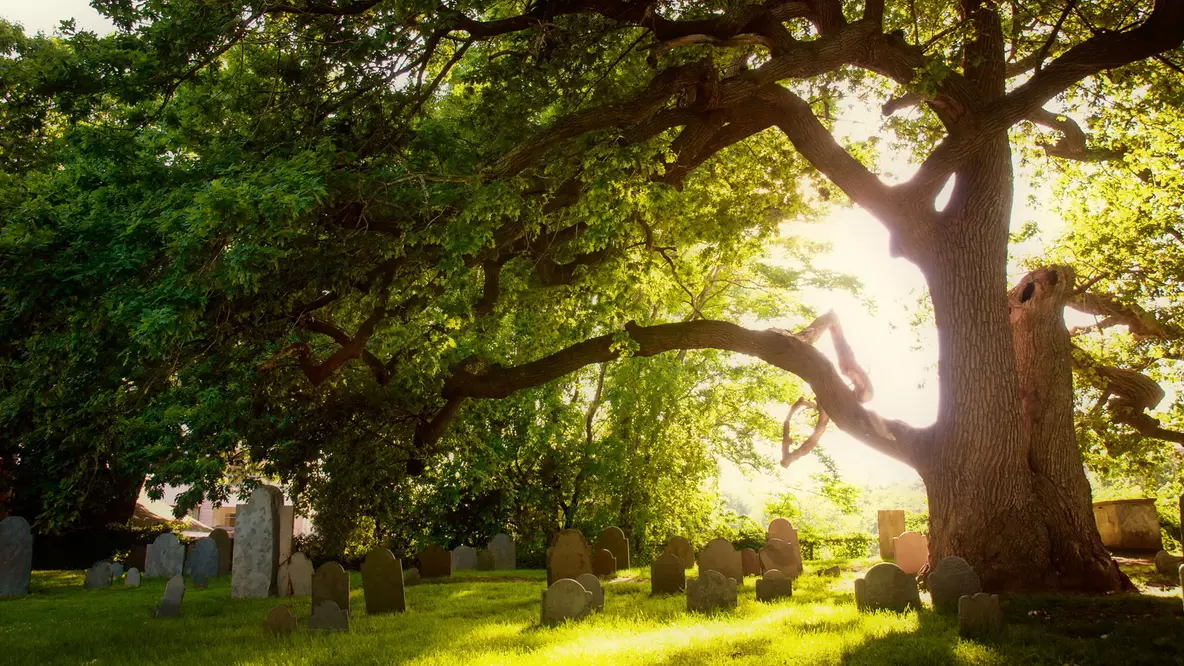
(493, 618)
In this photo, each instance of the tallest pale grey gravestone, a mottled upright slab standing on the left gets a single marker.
(258, 546)
